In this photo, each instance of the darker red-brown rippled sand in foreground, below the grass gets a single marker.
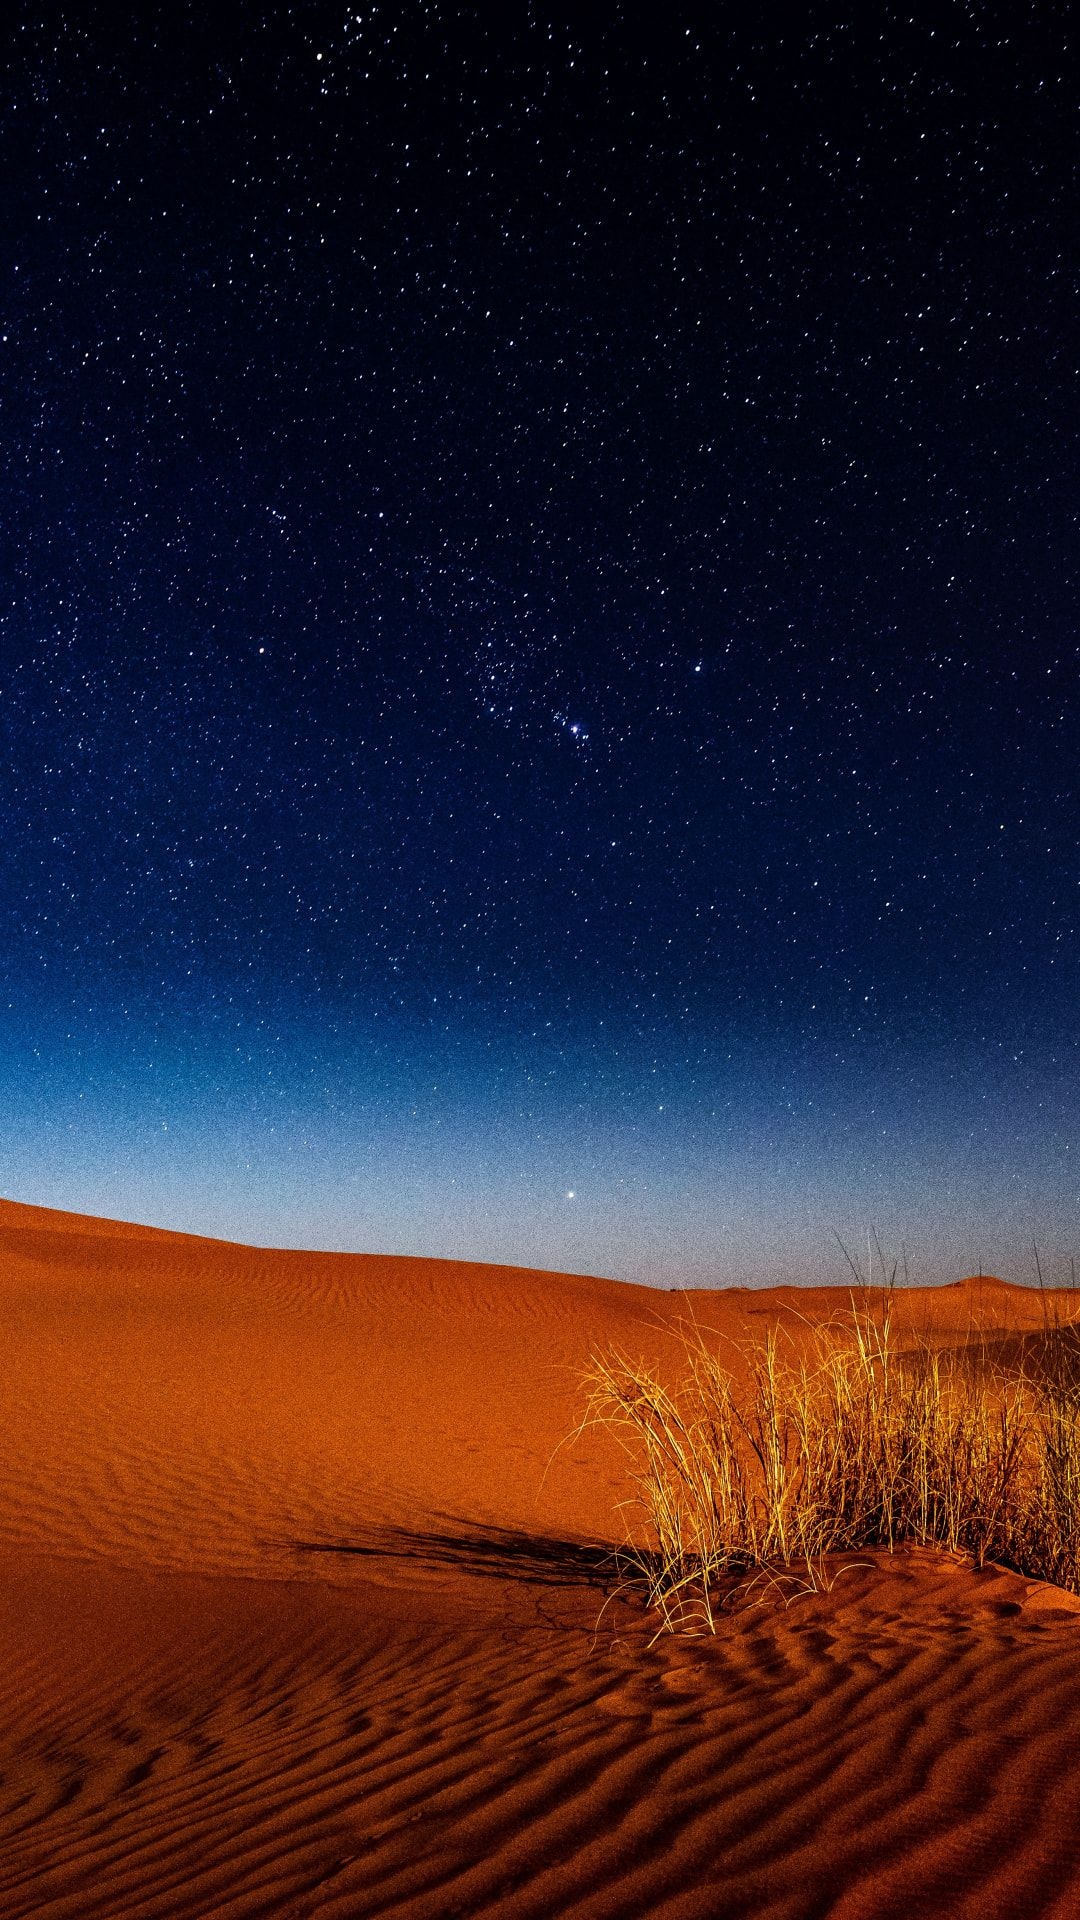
(184, 1748)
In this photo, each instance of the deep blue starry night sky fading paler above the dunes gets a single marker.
(539, 631)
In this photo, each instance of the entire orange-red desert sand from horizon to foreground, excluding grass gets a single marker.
(308, 1610)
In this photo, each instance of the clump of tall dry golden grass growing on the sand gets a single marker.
(839, 1443)
